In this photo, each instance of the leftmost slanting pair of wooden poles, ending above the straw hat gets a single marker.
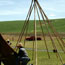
(25, 23)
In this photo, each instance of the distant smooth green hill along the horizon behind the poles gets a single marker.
(16, 26)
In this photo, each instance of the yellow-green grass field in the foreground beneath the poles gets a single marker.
(42, 55)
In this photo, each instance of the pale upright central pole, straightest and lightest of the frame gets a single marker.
(35, 32)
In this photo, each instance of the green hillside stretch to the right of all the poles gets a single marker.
(59, 25)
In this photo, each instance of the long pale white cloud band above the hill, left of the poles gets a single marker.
(12, 12)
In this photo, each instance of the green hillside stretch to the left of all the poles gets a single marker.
(11, 26)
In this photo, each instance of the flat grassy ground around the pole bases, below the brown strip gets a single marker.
(42, 55)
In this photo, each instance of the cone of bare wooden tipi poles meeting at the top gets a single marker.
(35, 5)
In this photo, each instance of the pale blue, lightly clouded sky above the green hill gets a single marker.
(18, 9)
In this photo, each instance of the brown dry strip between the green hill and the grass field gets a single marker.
(16, 36)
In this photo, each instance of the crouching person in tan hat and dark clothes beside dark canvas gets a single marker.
(22, 55)
